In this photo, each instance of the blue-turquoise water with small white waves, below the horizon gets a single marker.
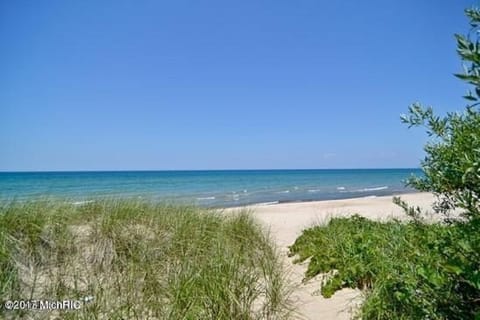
(206, 188)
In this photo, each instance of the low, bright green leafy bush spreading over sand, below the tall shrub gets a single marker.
(408, 270)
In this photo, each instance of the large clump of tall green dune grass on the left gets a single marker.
(139, 260)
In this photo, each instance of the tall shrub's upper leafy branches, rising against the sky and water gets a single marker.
(452, 163)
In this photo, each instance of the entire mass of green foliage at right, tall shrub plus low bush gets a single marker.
(417, 270)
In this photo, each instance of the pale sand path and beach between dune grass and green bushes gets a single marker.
(286, 222)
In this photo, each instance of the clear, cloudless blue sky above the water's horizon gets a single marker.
(138, 85)
